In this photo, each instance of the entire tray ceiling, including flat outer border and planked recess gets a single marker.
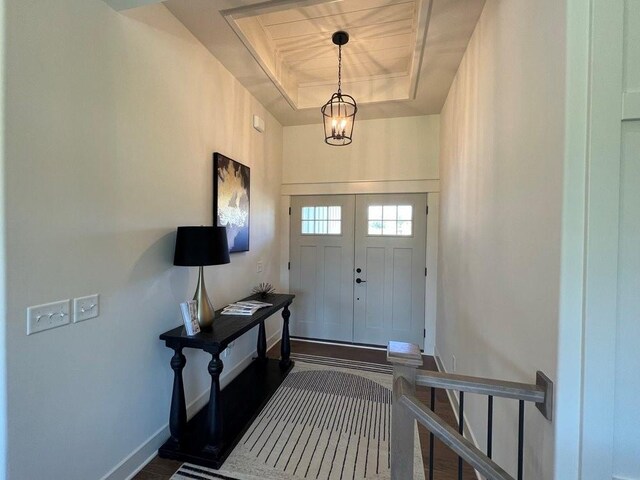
(400, 60)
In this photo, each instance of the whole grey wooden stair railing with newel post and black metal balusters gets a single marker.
(406, 359)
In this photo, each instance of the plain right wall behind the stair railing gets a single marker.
(502, 155)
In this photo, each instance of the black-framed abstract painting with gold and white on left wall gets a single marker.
(231, 189)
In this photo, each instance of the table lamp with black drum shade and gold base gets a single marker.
(199, 247)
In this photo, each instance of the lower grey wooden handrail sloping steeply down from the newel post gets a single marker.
(447, 435)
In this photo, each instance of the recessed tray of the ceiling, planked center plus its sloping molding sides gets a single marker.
(295, 49)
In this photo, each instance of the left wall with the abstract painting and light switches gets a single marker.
(111, 125)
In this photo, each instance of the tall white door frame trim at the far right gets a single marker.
(584, 419)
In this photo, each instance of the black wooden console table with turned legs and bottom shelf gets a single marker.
(208, 438)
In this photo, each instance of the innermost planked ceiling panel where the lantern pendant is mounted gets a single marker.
(382, 38)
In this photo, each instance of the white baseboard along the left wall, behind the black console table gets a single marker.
(146, 452)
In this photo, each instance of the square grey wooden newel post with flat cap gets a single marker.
(405, 358)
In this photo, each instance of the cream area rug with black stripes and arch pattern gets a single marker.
(329, 420)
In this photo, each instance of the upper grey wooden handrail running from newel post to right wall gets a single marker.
(483, 386)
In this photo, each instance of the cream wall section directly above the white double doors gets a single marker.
(391, 149)
